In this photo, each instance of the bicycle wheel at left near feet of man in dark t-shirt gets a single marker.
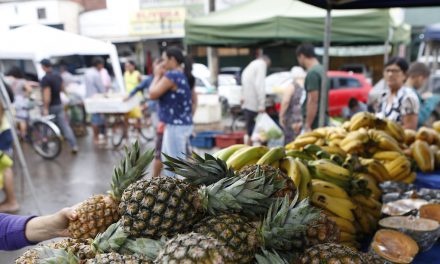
(45, 140)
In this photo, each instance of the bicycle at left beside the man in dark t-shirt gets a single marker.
(43, 134)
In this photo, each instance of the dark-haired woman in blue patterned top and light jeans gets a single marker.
(172, 86)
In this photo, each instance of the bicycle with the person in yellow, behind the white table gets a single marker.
(120, 131)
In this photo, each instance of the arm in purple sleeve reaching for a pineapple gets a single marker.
(21, 231)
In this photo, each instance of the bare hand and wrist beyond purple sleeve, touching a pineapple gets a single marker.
(50, 226)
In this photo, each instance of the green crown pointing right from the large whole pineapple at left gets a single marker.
(250, 196)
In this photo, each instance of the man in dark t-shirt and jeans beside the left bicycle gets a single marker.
(52, 86)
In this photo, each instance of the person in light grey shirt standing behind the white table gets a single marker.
(94, 85)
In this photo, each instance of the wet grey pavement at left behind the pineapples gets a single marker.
(65, 181)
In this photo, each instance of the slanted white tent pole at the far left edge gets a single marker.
(6, 102)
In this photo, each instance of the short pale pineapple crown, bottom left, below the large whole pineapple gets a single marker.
(111, 240)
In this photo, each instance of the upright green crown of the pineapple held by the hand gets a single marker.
(130, 169)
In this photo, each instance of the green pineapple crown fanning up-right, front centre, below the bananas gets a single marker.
(284, 222)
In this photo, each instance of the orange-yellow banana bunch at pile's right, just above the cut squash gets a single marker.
(397, 165)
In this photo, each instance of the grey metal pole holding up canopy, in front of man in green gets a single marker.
(324, 92)
